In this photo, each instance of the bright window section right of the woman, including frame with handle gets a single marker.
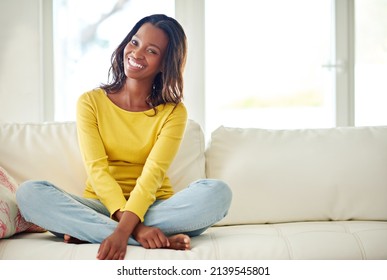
(296, 64)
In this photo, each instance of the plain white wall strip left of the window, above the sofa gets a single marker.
(20, 61)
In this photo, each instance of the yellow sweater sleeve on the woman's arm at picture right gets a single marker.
(158, 162)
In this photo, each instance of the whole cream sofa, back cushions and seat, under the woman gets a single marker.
(297, 194)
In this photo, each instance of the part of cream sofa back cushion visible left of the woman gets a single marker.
(43, 151)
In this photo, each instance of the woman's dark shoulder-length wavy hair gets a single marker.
(168, 84)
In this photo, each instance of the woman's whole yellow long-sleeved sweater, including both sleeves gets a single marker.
(127, 153)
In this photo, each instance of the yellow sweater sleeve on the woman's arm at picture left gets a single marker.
(95, 158)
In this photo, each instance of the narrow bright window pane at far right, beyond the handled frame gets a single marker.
(371, 62)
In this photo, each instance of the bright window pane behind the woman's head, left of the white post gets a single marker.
(85, 35)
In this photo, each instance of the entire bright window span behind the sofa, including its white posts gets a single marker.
(269, 64)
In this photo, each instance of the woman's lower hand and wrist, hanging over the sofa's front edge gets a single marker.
(115, 245)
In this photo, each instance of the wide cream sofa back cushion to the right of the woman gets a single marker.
(301, 175)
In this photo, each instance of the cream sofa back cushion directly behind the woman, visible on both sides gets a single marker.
(49, 151)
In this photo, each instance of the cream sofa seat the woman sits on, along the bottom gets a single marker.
(305, 240)
